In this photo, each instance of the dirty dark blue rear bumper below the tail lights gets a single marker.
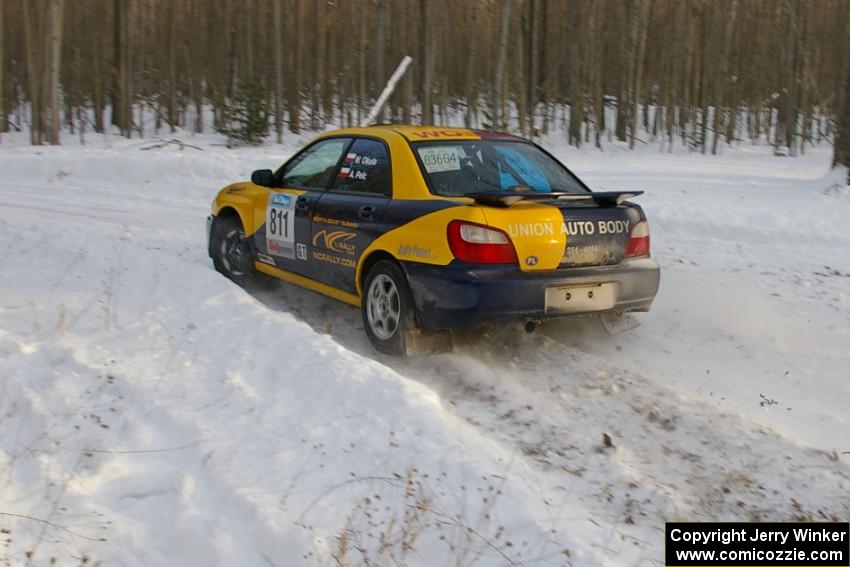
(465, 295)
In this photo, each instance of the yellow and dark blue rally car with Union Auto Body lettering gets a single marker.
(434, 228)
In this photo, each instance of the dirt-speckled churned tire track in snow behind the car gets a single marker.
(673, 457)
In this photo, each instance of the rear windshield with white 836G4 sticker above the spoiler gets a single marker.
(457, 168)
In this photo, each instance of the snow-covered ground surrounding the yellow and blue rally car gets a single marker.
(152, 413)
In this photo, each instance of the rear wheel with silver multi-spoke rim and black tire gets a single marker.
(387, 308)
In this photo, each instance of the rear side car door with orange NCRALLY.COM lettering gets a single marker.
(347, 217)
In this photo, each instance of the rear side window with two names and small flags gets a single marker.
(365, 169)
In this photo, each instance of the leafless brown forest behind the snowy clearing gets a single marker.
(702, 72)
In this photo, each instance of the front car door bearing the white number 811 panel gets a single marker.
(283, 240)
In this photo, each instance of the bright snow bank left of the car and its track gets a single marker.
(149, 402)
